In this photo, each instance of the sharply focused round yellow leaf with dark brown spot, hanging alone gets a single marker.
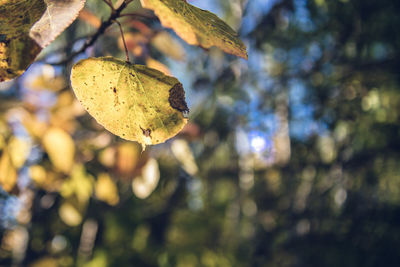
(132, 101)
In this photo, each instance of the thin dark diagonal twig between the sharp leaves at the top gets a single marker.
(89, 42)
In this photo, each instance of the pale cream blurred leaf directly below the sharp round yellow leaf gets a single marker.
(145, 184)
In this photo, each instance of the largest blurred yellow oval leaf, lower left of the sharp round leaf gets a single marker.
(60, 148)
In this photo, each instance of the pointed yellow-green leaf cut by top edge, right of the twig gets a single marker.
(196, 26)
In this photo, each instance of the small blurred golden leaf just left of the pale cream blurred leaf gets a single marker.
(106, 190)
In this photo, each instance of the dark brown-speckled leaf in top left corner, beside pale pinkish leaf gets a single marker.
(17, 50)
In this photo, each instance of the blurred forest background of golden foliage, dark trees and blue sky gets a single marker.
(289, 159)
